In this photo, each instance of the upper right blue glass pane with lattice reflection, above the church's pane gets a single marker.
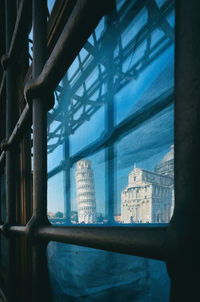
(144, 57)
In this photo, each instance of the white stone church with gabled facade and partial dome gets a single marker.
(149, 195)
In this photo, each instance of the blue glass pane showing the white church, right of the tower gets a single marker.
(145, 171)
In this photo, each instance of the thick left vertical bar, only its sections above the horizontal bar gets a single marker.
(39, 108)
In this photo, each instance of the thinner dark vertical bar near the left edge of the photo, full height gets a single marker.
(11, 101)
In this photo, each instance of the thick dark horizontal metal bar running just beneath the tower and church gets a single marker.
(141, 240)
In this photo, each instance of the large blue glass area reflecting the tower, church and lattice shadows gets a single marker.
(111, 128)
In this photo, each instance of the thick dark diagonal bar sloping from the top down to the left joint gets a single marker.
(68, 45)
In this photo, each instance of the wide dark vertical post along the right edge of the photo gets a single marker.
(183, 249)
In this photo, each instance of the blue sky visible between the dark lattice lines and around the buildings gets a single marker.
(144, 146)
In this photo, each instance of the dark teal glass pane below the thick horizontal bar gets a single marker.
(85, 274)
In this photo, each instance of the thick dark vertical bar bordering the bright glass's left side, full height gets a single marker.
(40, 290)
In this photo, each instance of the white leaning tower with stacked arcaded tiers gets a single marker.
(85, 192)
